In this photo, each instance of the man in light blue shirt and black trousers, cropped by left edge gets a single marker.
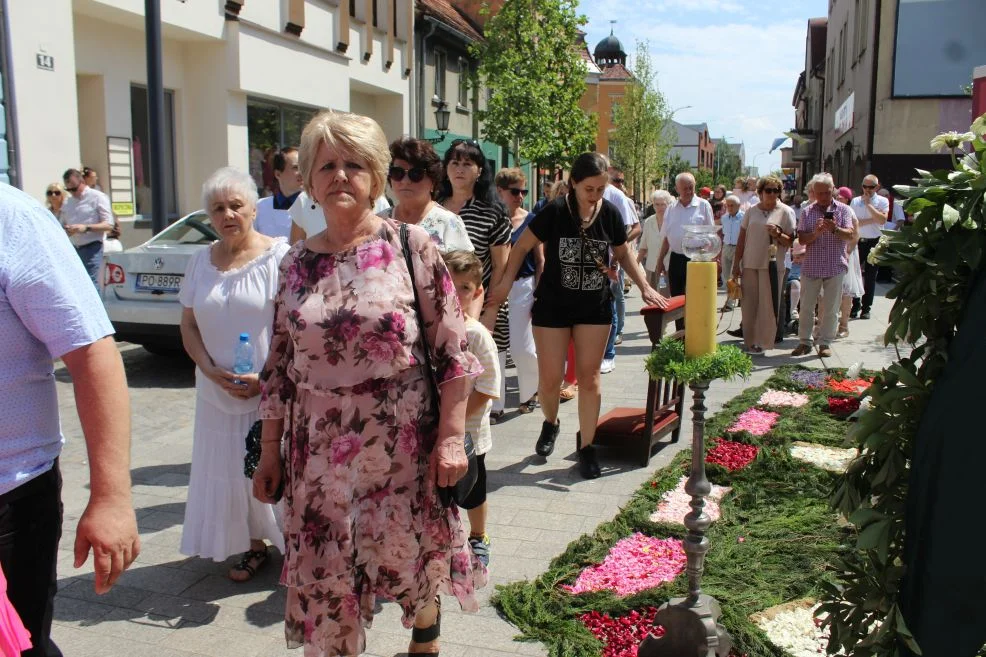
(49, 309)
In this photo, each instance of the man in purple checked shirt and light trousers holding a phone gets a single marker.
(824, 229)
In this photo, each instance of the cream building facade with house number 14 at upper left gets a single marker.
(240, 80)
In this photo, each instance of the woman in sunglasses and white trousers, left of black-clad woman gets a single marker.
(511, 185)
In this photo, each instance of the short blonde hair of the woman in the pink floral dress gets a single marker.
(354, 134)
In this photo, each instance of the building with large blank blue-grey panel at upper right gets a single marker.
(889, 89)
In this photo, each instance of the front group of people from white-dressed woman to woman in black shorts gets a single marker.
(352, 319)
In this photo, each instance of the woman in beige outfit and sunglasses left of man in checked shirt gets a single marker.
(766, 233)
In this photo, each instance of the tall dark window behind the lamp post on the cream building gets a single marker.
(140, 126)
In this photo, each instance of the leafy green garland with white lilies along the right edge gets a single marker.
(936, 259)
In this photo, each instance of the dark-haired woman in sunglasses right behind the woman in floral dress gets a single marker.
(414, 175)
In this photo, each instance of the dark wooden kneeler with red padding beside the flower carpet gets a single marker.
(640, 429)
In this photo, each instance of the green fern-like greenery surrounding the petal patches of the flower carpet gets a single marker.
(778, 506)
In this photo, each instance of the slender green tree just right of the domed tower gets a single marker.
(643, 135)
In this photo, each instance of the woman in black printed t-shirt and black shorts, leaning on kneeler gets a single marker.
(579, 231)
